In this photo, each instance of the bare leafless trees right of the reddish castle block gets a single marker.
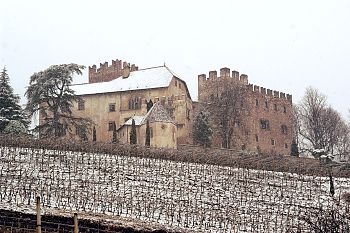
(319, 125)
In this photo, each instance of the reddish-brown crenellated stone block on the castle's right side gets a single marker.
(267, 126)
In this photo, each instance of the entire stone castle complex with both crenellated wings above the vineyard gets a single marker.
(118, 93)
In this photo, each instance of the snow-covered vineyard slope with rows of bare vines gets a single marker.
(197, 196)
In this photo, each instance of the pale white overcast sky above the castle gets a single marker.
(281, 45)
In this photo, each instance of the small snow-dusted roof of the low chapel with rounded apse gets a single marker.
(156, 114)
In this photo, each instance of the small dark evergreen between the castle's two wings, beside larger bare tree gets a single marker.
(202, 131)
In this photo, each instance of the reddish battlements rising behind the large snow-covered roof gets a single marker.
(107, 73)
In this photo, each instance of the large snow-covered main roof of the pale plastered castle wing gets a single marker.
(154, 77)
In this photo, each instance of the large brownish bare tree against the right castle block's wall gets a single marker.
(228, 106)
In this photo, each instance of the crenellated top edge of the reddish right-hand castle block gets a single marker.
(204, 83)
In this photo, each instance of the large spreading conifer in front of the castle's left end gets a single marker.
(50, 94)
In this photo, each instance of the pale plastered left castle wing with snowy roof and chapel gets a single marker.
(117, 93)
